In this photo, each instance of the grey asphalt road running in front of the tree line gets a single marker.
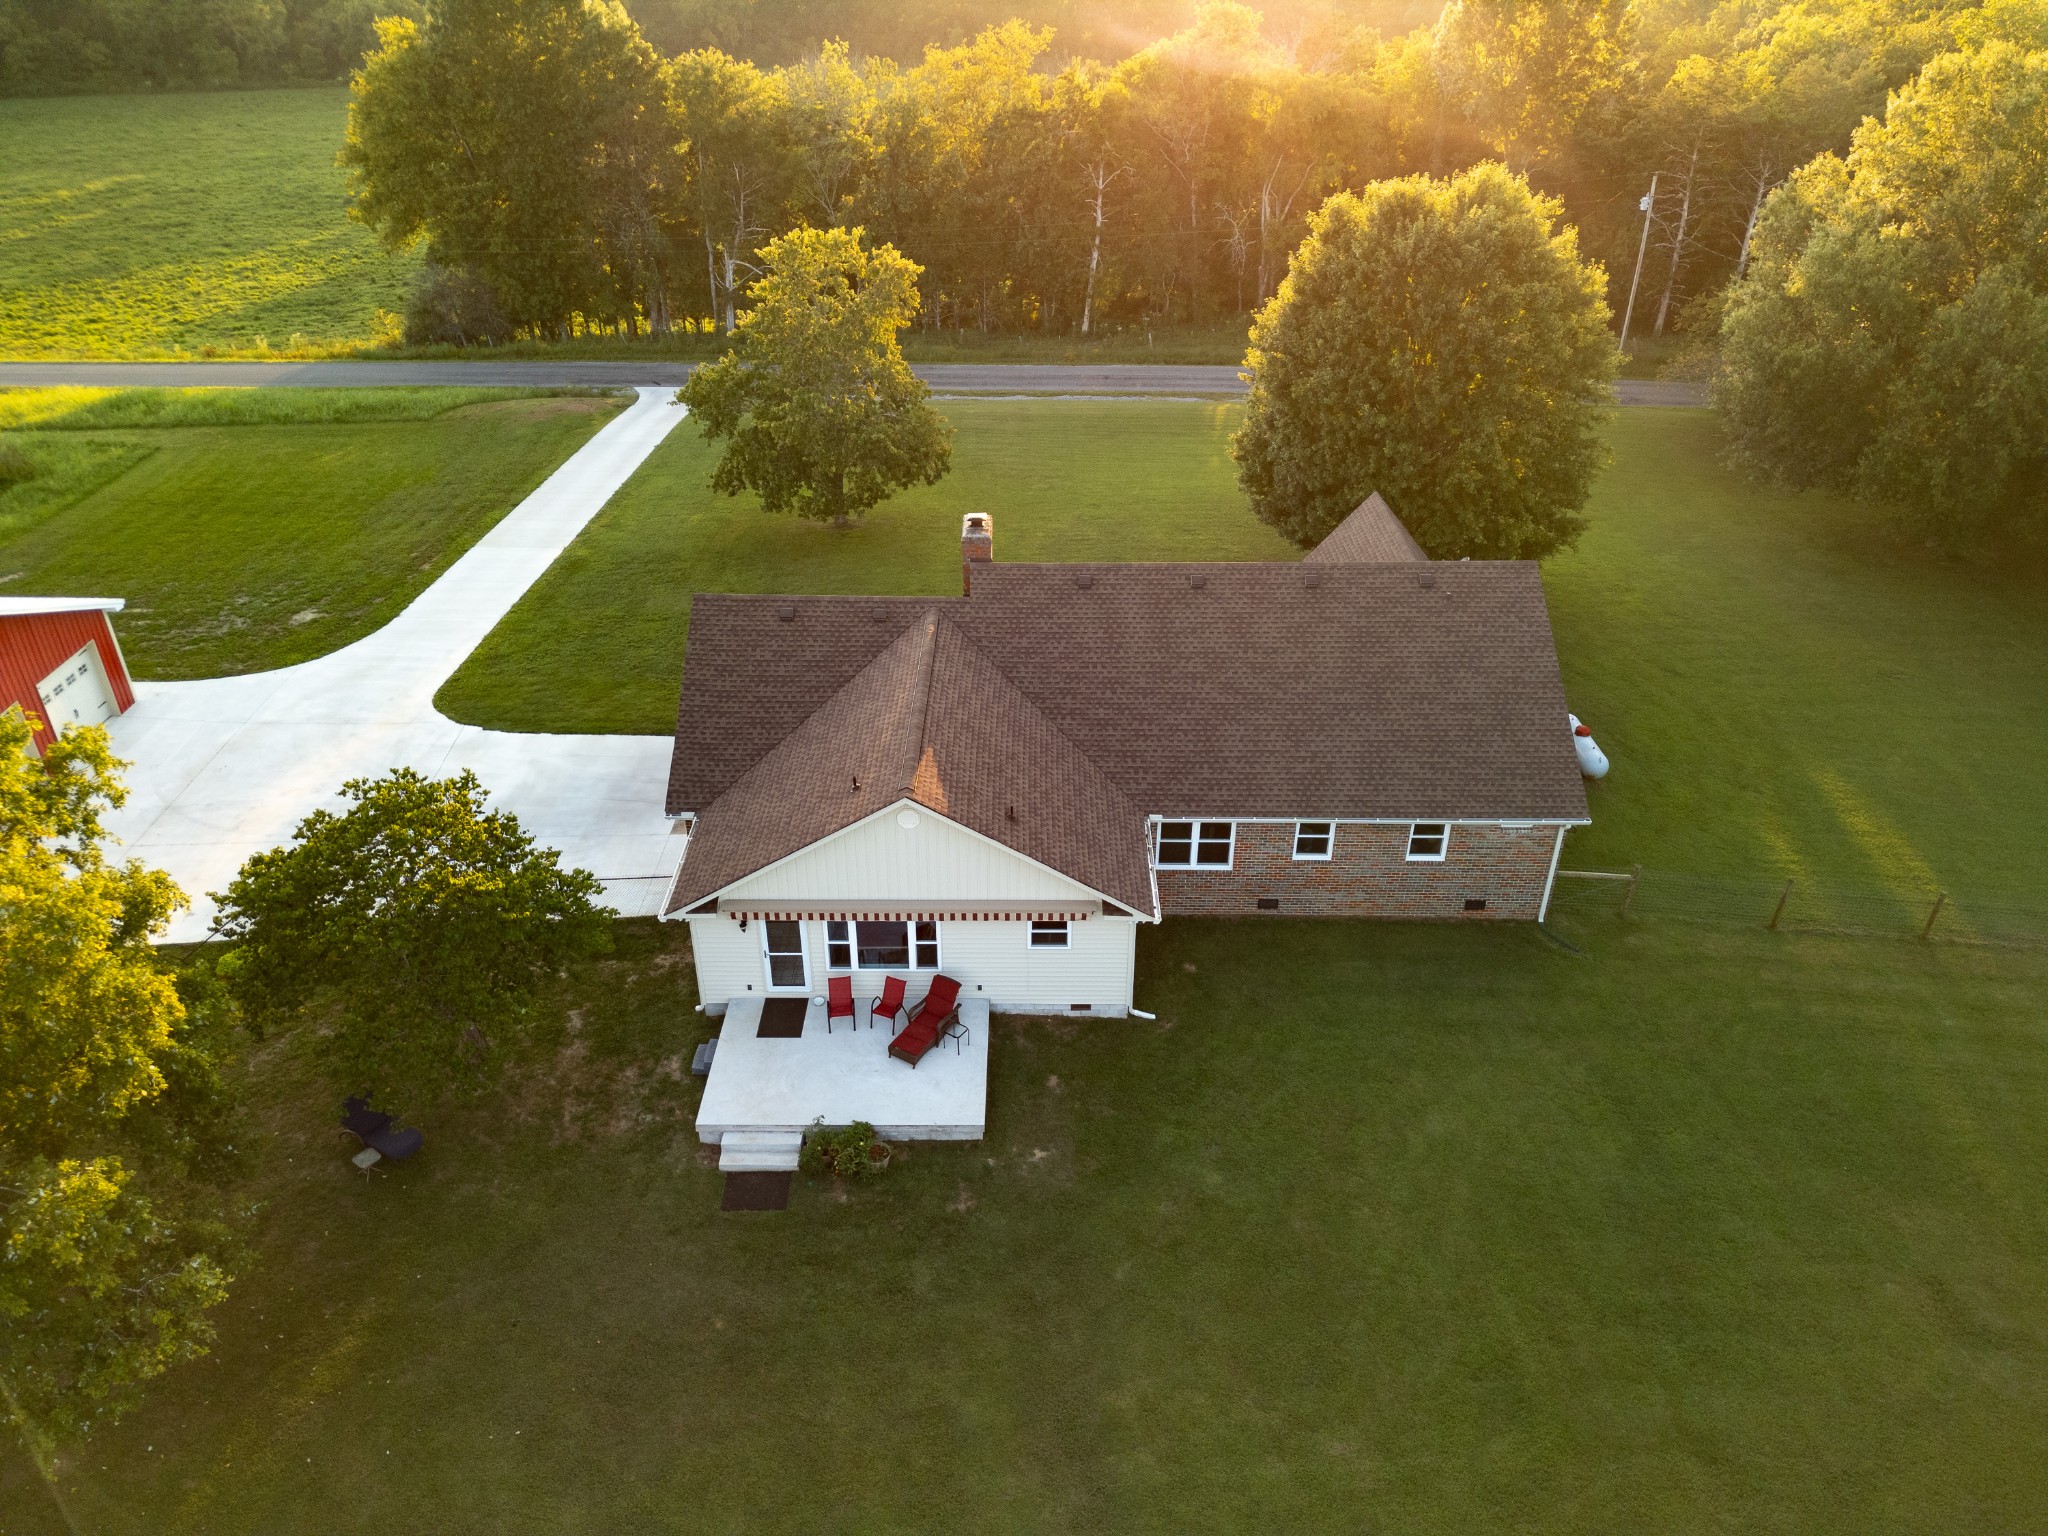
(947, 378)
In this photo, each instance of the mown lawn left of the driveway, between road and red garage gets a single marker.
(261, 527)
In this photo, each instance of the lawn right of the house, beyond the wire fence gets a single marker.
(1791, 693)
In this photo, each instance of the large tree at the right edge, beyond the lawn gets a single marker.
(1891, 337)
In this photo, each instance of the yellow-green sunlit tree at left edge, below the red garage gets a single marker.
(112, 1117)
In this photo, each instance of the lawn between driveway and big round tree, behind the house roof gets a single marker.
(597, 646)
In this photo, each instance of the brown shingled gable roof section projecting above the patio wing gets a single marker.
(929, 720)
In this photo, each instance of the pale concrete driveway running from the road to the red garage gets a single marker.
(228, 767)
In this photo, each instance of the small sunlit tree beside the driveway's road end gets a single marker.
(818, 411)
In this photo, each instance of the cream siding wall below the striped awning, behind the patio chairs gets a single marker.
(994, 962)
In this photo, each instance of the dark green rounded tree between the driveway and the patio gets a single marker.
(415, 931)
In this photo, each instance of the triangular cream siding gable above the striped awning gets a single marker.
(884, 861)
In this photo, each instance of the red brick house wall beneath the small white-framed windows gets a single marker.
(1369, 876)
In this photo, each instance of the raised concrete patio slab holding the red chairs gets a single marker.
(845, 1076)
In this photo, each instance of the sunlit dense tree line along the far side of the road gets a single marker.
(574, 175)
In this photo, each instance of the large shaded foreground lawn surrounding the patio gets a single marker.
(1379, 1228)
